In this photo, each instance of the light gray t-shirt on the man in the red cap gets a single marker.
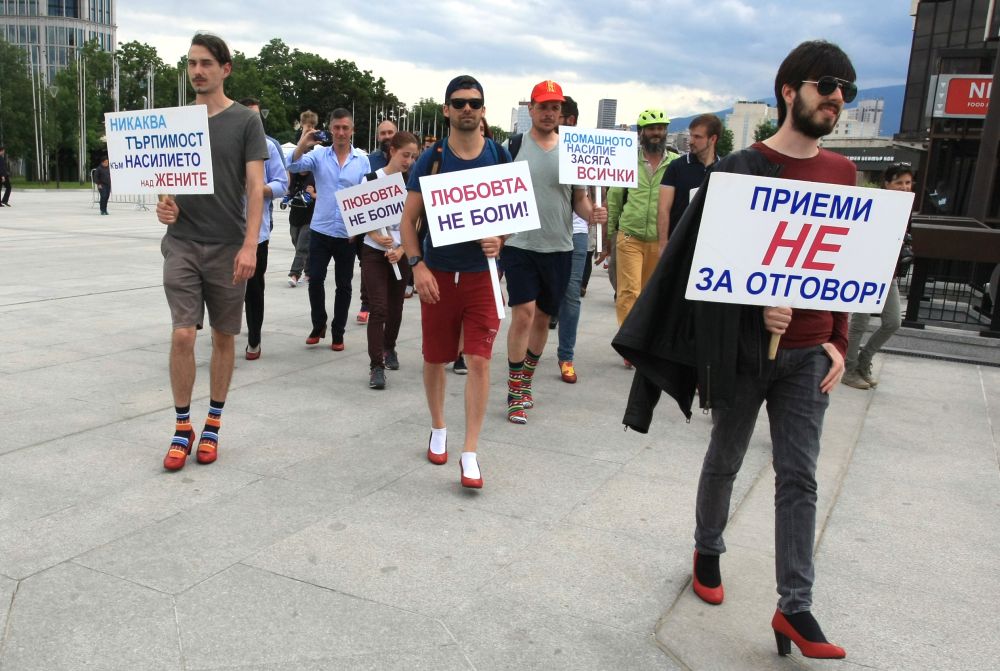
(555, 204)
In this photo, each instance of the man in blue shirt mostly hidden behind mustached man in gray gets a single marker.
(275, 186)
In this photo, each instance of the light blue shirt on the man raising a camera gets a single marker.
(330, 178)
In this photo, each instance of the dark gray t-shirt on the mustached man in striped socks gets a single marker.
(237, 137)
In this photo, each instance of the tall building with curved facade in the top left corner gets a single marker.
(52, 30)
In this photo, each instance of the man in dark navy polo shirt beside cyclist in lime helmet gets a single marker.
(687, 173)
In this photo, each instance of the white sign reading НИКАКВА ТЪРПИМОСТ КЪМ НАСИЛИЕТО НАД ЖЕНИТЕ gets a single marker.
(160, 150)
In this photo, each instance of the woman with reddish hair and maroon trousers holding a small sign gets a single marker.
(382, 249)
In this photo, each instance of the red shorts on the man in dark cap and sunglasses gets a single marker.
(466, 311)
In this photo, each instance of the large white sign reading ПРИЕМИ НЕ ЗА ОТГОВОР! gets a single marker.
(786, 243)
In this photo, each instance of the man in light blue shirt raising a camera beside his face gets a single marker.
(334, 168)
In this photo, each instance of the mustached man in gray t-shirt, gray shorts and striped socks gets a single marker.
(210, 248)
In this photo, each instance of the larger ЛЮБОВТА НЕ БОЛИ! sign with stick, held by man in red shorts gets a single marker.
(480, 203)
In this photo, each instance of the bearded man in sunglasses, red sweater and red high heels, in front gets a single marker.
(728, 344)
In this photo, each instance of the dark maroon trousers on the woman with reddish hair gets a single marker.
(385, 301)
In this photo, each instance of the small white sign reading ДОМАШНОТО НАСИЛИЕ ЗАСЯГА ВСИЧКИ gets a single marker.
(598, 157)
